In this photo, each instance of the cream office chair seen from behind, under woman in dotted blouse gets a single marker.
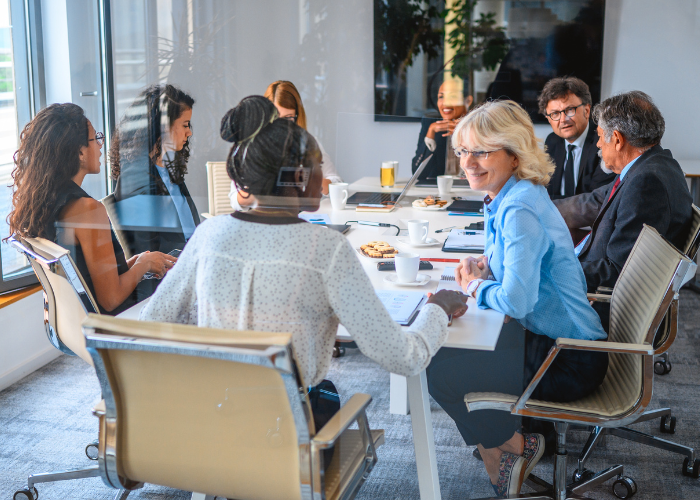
(219, 412)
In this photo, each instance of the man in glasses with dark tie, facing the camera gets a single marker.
(566, 102)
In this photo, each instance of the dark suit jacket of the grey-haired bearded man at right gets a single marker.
(653, 192)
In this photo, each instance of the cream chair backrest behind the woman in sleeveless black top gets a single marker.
(67, 299)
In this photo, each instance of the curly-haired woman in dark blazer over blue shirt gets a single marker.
(149, 157)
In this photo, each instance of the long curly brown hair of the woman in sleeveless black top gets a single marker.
(48, 157)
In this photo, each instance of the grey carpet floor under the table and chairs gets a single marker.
(45, 424)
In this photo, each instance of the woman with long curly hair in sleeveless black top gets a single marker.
(57, 149)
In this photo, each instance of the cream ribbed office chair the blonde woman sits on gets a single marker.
(647, 285)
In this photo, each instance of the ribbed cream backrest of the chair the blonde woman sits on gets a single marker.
(643, 294)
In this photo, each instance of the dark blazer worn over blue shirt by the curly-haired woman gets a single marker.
(134, 180)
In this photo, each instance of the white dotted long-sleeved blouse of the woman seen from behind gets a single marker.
(299, 278)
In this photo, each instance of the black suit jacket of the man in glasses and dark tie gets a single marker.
(590, 175)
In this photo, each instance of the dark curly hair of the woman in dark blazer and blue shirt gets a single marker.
(139, 134)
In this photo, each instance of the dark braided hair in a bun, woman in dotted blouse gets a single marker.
(262, 143)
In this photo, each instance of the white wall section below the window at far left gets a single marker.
(24, 346)
